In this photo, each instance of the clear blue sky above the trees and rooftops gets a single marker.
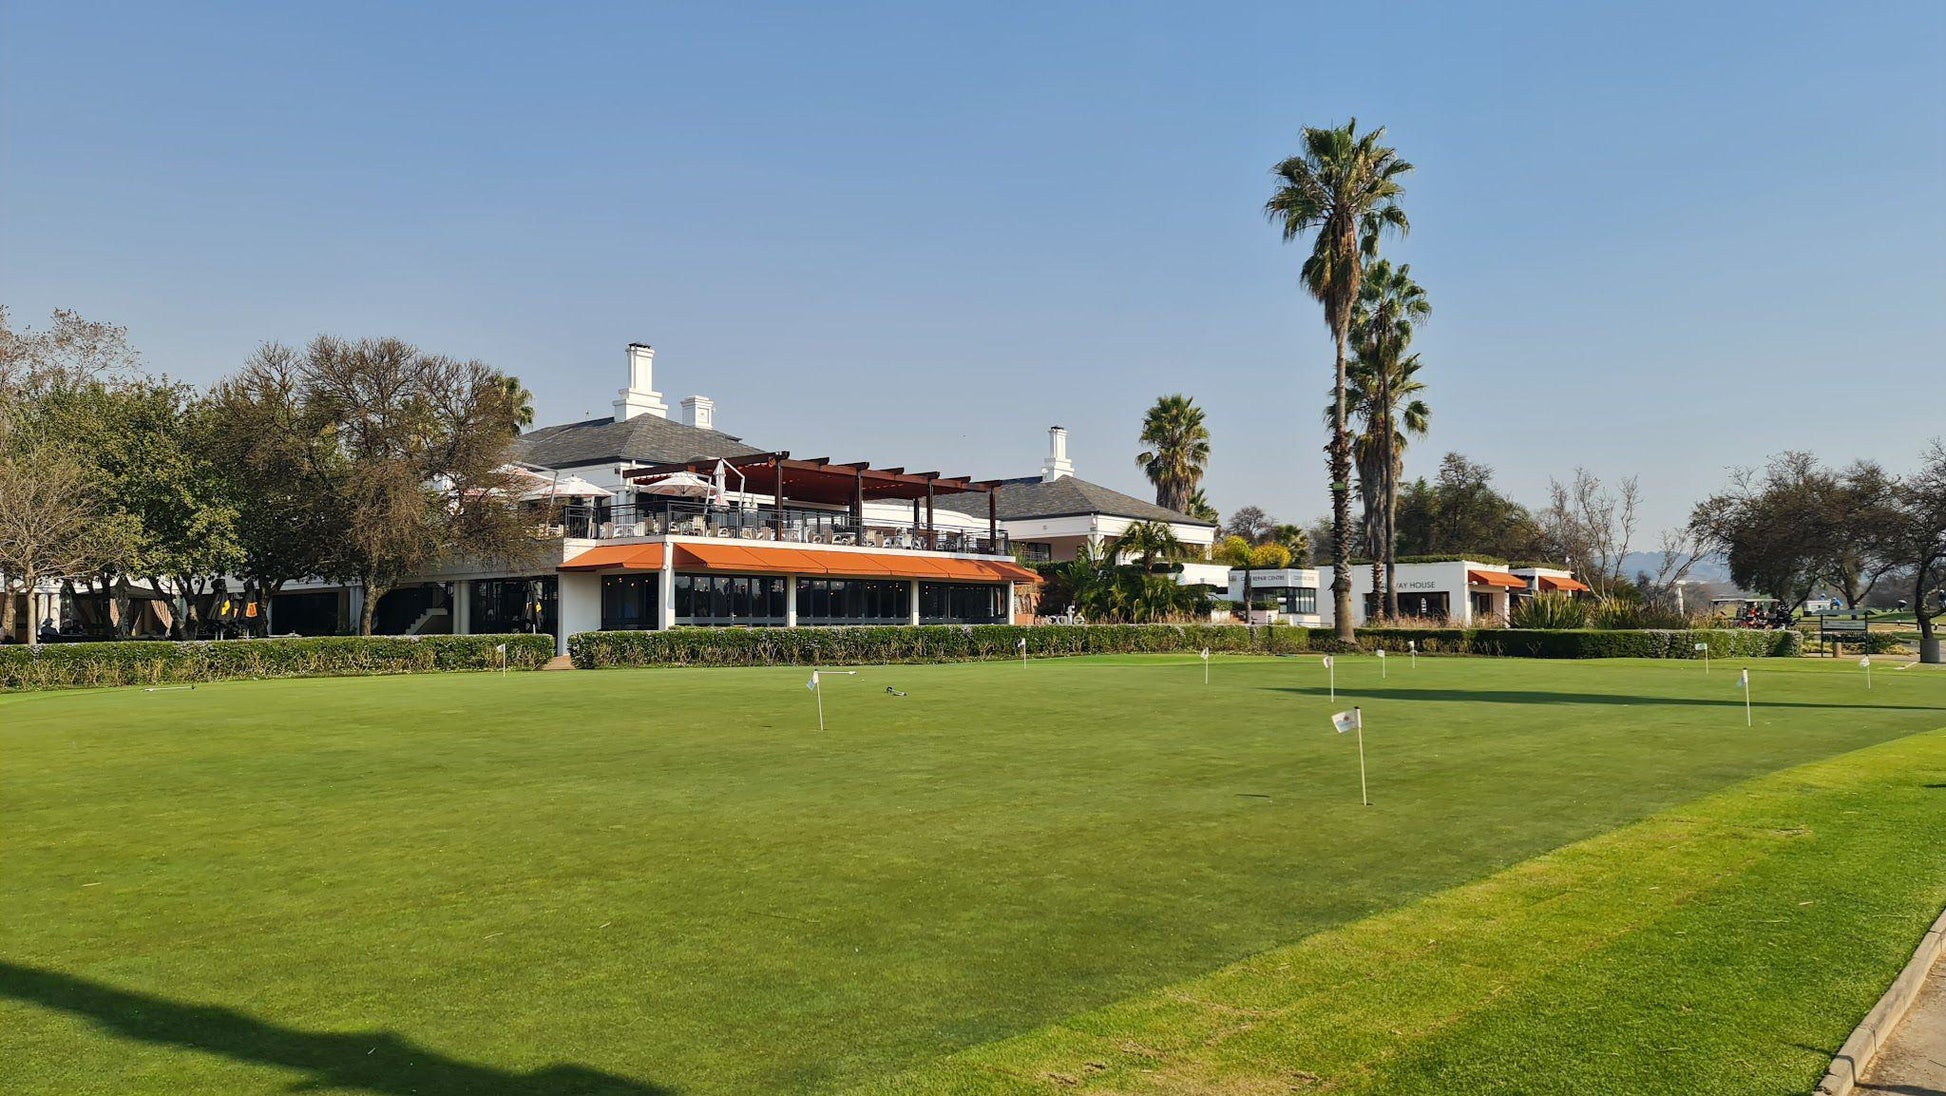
(1659, 240)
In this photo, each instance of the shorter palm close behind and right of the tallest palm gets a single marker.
(1390, 309)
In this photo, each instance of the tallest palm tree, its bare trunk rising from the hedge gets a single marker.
(1348, 190)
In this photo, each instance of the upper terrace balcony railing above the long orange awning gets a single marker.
(762, 525)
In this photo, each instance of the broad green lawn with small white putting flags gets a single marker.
(668, 881)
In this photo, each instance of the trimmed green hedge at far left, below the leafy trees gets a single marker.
(145, 663)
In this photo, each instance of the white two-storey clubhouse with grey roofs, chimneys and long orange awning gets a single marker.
(657, 523)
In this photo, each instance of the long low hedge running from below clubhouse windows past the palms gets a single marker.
(949, 643)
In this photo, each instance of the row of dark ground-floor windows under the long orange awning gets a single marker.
(630, 601)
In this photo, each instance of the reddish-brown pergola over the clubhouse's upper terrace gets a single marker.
(832, 484)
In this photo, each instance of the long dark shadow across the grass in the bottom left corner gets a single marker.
(377, 1062)
